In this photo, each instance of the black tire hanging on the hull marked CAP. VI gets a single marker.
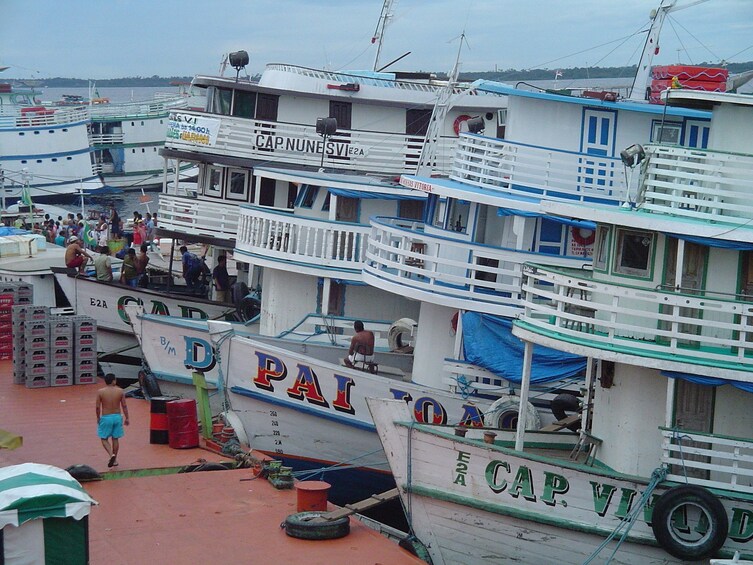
(698, 502)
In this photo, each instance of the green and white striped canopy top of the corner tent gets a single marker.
(32, 490)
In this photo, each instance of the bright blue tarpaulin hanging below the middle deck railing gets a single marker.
(488, 343)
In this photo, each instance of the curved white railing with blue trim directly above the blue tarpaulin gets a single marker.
(401, 257)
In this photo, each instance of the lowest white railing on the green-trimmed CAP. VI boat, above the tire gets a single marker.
(709, 460)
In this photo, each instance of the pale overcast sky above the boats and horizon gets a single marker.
(100, 39)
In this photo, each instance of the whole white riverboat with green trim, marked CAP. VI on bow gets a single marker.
(661, 471)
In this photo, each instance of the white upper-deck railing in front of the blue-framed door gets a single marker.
(516, 168)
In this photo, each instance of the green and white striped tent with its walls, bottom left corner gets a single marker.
(43, 516)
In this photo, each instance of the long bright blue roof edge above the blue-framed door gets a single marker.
(625, 105)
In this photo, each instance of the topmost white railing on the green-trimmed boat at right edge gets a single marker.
(698, 184)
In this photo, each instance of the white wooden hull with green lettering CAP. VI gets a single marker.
(471, 501)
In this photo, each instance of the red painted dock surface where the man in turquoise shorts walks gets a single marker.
(207, 517)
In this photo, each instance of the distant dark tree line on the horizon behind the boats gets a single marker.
(497, 75)
